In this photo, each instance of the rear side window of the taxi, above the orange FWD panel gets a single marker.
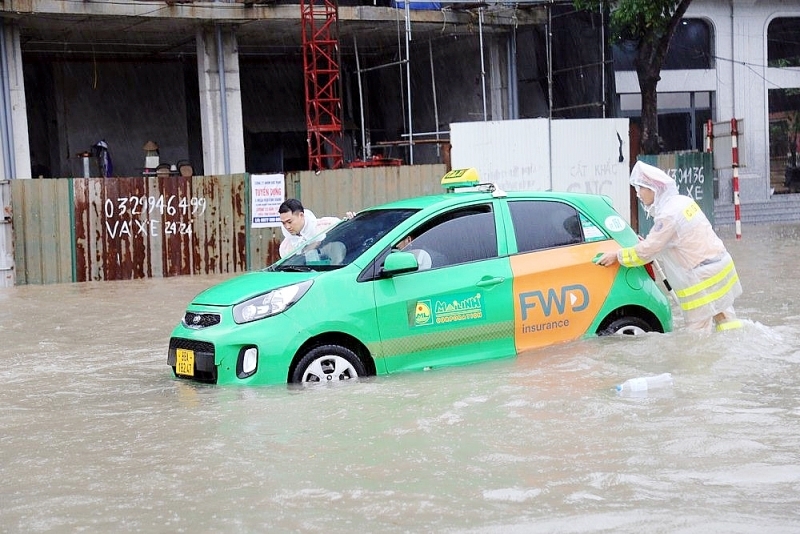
(542, 224)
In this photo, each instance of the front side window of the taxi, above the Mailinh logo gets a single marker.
(459, 236)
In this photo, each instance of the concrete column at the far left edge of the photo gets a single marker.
(15, 153)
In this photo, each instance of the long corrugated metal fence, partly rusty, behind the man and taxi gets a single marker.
(82, 229)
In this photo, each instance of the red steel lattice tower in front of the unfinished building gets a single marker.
(320, 63)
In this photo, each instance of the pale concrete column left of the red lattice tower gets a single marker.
(220, 101)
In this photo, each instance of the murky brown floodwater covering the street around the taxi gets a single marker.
(98, 437)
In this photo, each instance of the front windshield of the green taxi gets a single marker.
(344, 242)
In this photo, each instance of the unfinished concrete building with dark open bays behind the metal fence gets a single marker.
(250, 86)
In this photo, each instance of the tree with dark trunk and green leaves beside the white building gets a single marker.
(650, 24)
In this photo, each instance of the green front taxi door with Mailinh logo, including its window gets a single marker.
(457, 311)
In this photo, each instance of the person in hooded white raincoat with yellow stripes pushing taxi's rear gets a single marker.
(698, 267)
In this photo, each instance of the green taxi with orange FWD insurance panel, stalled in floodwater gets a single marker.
(469, 275)
